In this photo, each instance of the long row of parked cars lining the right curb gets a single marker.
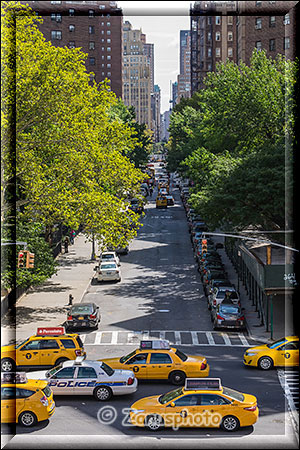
(222, 298)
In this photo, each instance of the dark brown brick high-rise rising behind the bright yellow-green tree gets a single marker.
(95, 26)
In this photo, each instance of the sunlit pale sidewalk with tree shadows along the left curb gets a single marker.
(46, 305)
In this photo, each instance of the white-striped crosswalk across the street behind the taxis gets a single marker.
(133, 338)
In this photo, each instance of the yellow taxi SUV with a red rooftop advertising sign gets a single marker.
(48, 347)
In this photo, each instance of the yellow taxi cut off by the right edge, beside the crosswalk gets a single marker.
(284, 352)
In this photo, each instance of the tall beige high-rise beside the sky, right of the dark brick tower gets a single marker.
(136, 74)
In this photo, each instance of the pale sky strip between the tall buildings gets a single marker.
(161, 22)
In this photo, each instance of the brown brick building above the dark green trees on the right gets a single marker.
(222, 30)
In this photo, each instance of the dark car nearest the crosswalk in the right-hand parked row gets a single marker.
(228, 315)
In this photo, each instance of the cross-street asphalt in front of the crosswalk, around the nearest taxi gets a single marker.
(80, 414)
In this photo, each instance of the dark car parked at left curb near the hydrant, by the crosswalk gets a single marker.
(83, 315)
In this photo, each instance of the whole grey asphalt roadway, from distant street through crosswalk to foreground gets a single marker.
(161, 295)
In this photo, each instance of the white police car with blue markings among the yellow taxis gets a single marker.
(82, 377)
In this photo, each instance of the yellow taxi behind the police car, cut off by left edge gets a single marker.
(25, 401)
